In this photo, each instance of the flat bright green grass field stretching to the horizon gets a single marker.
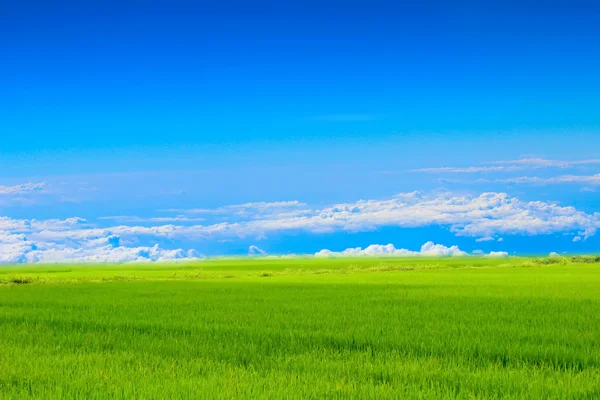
(303, 328)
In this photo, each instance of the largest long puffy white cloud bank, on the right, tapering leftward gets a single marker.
(486, 215)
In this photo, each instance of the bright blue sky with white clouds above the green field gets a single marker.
(145, 131)
